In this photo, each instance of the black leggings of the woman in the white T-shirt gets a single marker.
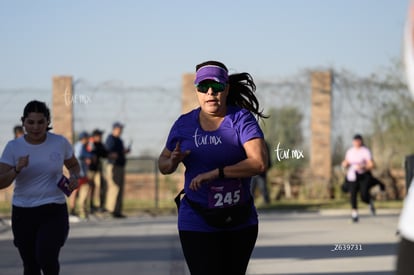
(39, 233)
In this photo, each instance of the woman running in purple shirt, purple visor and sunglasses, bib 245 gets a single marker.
(221, 146)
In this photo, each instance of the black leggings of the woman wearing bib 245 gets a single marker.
(218, 253)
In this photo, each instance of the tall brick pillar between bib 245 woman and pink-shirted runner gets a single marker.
(321, 156)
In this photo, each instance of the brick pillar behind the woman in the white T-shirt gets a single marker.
(62, 106)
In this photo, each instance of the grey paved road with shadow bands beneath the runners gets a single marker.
(290, 243)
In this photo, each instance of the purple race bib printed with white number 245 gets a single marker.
(228, 194)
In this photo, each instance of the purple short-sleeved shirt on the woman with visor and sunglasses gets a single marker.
(210, 150)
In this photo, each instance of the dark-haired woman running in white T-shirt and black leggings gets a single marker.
(35, 163)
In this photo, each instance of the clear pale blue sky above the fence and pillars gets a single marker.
(153, 42)
